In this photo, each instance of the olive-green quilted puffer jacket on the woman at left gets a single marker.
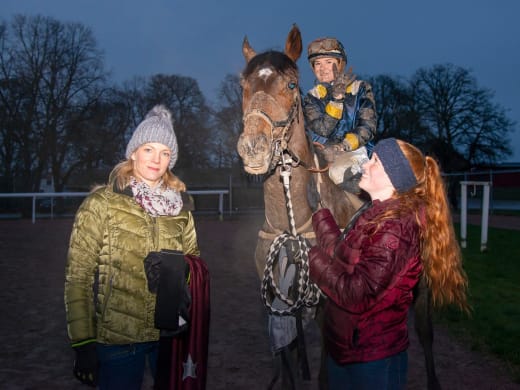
(110, 238)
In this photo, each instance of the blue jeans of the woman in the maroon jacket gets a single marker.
(385, 374)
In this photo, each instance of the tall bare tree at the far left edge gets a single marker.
(57, 72)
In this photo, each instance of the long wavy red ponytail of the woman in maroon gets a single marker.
(440, 250)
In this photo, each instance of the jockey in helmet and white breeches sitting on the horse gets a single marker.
(339, 112)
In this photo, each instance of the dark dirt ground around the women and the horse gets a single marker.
(35, 354)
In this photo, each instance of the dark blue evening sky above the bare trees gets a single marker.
(202, 38)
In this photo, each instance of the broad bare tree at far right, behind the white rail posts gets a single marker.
(460, 116)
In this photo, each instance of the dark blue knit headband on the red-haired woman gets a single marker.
(396, 165)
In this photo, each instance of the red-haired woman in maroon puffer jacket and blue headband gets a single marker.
(369, 272)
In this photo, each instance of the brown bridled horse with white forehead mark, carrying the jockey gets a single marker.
(274, 144)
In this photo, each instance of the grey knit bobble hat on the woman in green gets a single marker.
(156, 127)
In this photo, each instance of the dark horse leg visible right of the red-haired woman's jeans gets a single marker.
(424, 330)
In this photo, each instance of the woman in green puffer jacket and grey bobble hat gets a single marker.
(109, 308)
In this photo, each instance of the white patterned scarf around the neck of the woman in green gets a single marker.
(156, 201)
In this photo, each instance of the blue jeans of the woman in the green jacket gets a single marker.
(122, 367)
